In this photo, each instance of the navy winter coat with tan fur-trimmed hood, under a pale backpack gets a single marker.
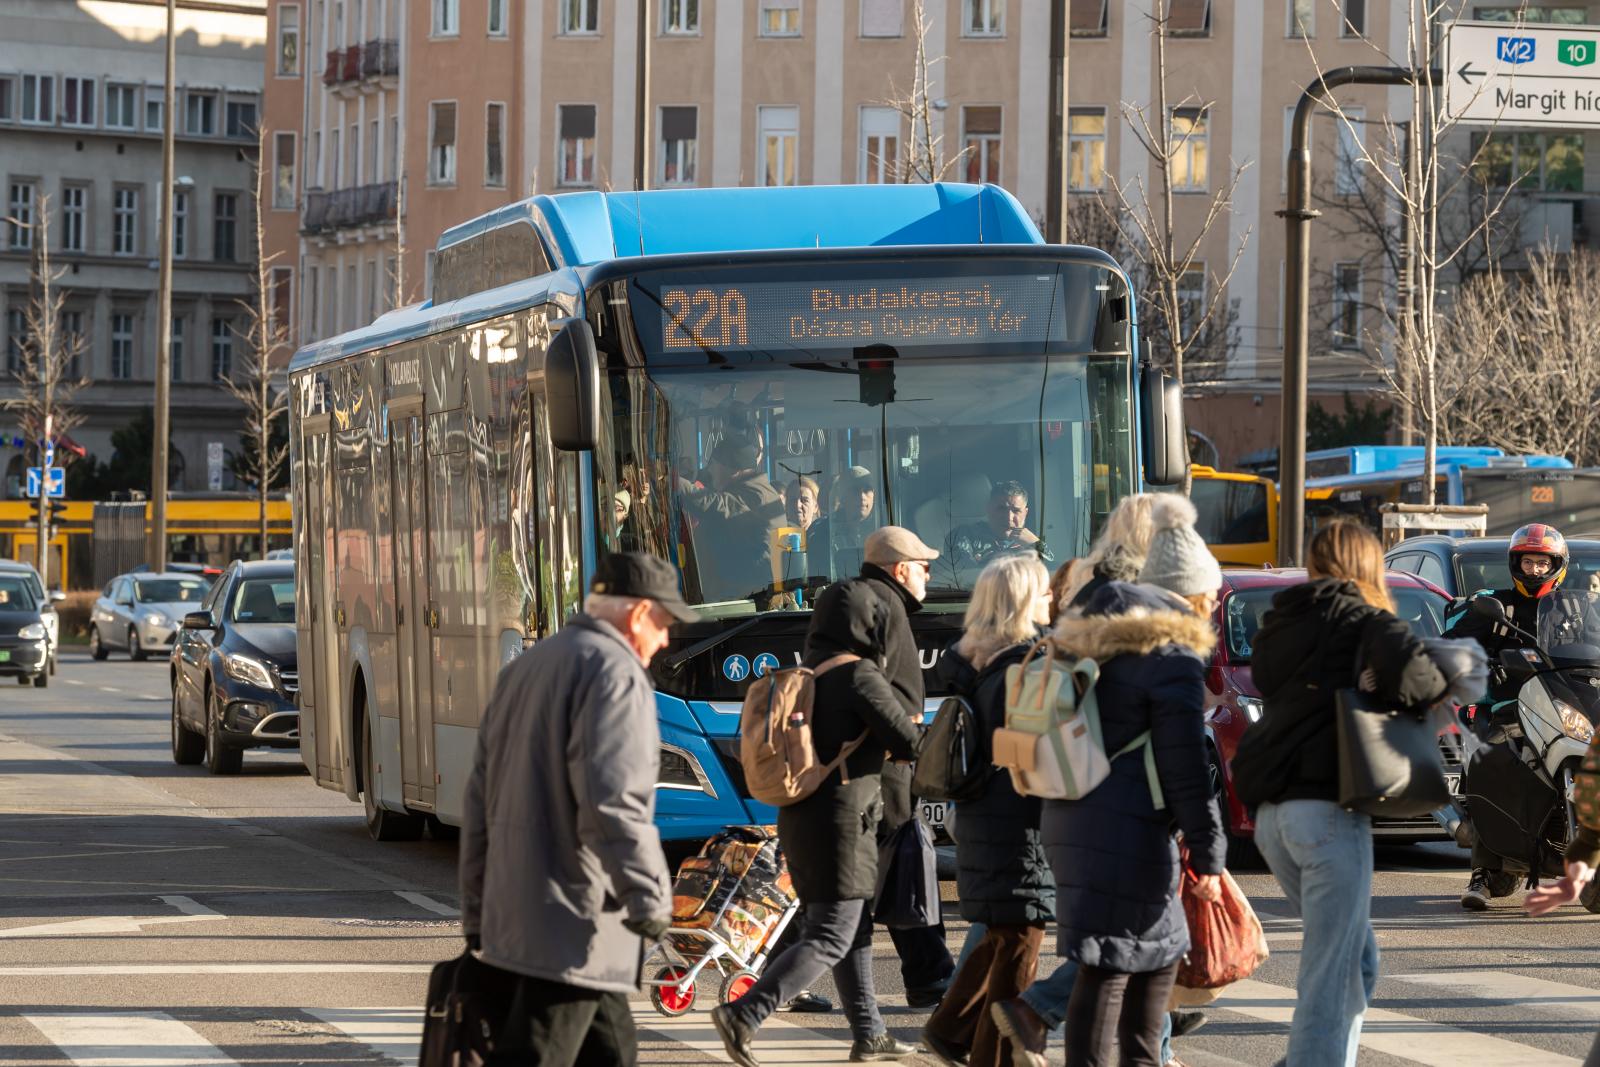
(1113, 852)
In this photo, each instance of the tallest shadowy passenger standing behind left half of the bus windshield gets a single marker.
(737, 518)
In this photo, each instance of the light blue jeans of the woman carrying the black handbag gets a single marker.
(1322, 858)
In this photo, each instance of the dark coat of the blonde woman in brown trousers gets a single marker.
(1001, 869)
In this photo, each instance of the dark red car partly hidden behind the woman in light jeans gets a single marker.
(1233, 700)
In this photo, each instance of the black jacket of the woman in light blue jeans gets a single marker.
(1306, 652)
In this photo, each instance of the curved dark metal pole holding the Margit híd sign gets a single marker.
(1297, 218)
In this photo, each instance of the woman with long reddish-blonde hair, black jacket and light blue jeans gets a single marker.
(1334, 633)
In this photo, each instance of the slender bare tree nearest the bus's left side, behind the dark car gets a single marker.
(265, 342)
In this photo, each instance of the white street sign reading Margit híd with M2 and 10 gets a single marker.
(1522, 76)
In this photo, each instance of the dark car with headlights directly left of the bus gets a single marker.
(234, 673)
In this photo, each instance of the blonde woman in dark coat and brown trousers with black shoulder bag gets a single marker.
(1002, 873)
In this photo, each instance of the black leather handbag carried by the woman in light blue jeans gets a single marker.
(1390, 762)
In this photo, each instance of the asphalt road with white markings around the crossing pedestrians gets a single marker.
(153, 914)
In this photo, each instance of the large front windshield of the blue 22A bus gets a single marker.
(764, 471)
